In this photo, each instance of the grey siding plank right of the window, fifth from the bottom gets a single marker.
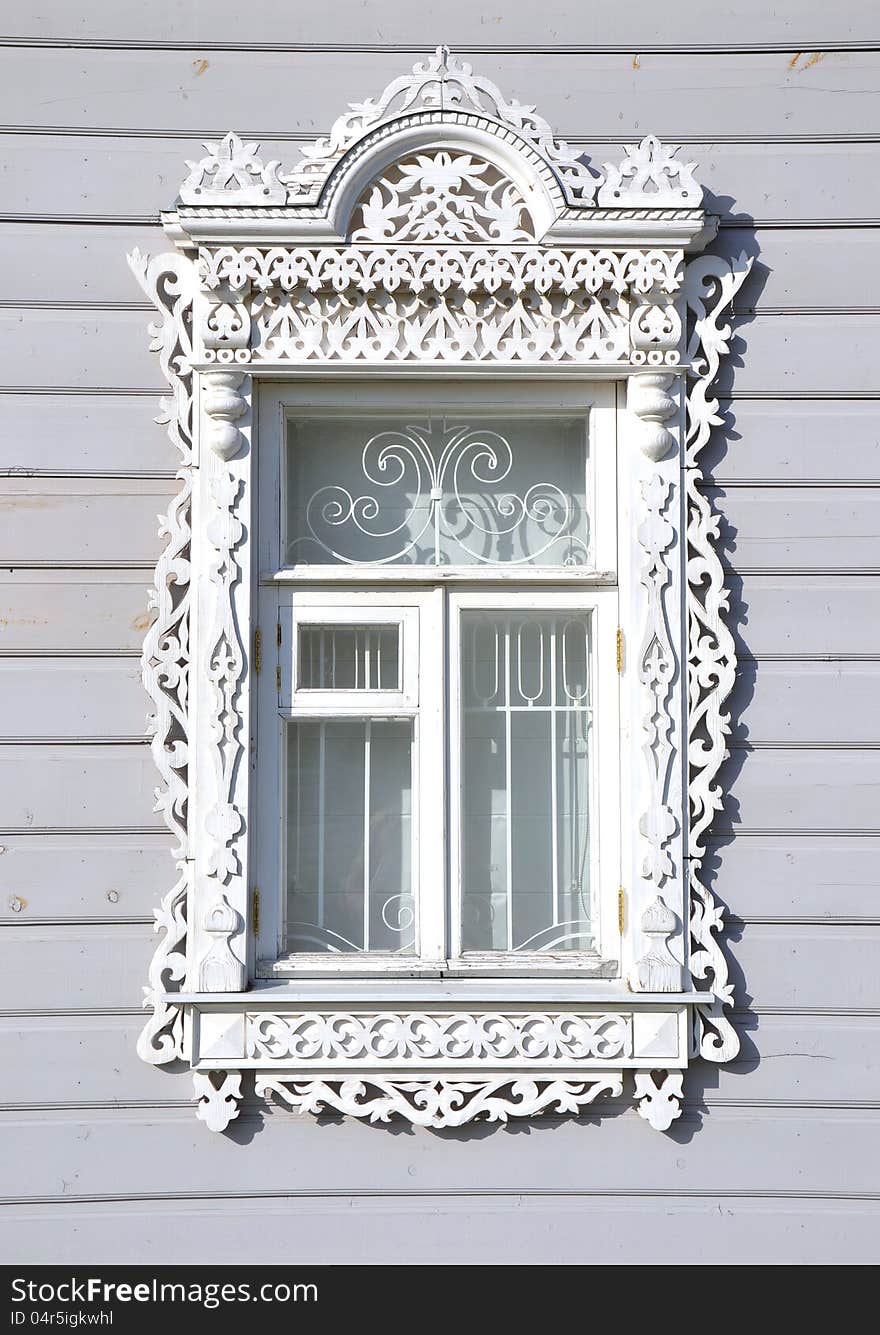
(797, 876)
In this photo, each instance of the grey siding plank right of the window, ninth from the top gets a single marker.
(810, 703)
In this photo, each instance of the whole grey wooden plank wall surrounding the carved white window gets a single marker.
(777, 1154)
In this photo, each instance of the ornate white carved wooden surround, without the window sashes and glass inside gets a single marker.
(440, 229)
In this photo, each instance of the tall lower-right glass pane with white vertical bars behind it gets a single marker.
(525, 783)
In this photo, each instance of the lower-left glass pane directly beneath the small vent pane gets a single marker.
(349, 836)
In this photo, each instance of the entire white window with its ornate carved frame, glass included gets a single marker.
(439, 661)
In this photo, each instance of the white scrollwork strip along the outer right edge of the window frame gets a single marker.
(711, 285)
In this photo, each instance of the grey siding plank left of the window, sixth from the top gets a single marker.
(95, 433)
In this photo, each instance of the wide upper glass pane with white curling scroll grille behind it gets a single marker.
(452, 491)
